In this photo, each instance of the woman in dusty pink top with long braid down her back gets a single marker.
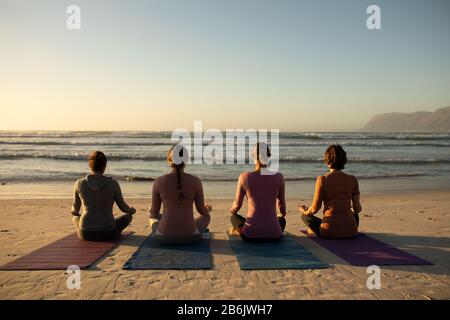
(178, 191)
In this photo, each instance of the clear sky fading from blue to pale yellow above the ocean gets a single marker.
(159, 65)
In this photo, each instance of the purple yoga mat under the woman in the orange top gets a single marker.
(366, 251)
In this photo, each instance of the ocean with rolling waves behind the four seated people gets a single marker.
(377, 159)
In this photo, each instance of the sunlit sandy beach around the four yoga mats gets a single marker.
(416, 222)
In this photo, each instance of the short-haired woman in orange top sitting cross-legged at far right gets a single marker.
(339, 193)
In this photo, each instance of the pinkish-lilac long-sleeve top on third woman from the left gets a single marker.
(264, 193)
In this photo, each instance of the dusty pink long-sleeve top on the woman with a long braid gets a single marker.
(178, 214)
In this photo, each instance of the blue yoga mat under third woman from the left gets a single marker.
(287, 253)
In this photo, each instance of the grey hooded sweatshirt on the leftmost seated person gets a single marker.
(97, 194)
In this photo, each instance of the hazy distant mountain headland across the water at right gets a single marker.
(421, 121)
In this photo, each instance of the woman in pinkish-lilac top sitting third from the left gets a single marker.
(262, 189)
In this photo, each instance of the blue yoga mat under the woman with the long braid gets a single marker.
(151, 255)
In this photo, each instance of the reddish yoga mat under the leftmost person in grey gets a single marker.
(64, 252)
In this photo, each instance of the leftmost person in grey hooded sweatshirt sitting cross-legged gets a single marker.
(96, 194)
